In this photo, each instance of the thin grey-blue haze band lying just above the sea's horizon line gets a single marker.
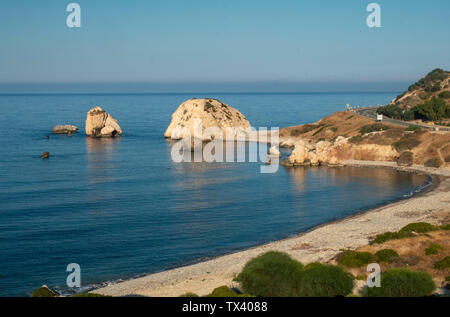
(198, 87)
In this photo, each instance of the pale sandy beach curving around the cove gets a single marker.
(320, 244)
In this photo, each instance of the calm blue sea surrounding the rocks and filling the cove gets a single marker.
(120, 207)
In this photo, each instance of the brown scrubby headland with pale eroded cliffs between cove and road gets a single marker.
(348, 136)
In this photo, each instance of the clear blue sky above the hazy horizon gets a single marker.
(183, 42)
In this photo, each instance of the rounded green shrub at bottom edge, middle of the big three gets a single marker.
(320, 280)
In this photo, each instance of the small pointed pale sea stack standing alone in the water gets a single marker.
(99, 123)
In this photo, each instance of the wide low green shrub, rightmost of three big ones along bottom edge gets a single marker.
(403, 283)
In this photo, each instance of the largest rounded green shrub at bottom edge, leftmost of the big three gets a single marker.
(272, 274)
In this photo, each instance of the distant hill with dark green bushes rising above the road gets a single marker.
(426, 100)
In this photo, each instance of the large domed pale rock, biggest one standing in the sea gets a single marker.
(194, 116)
